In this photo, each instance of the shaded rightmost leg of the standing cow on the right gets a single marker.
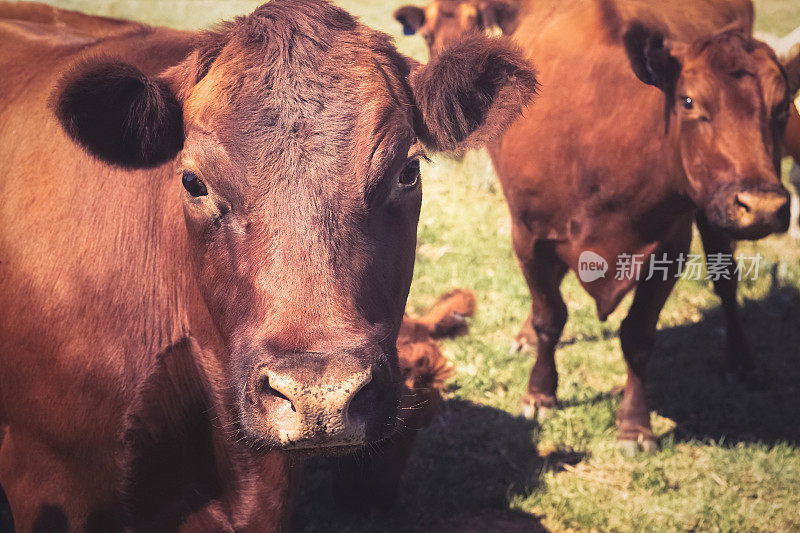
(738, 354)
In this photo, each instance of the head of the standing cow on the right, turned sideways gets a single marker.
(727, 98)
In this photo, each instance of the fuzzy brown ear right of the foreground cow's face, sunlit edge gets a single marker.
(471, 93)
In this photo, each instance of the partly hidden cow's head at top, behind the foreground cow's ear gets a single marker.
(445, 21)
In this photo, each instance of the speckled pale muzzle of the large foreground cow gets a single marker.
(324, 401)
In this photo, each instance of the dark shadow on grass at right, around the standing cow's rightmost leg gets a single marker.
(688, 385)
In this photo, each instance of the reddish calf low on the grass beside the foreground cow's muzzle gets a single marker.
(371, 478)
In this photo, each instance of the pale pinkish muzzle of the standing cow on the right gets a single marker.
(752, 212)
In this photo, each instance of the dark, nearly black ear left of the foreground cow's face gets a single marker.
(119, 115)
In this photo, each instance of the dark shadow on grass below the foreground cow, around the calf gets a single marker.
(463, 471)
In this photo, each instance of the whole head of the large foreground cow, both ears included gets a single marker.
(296, 134)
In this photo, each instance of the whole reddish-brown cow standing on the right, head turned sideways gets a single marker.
(652, 115)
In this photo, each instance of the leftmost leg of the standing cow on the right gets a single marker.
(544, 272)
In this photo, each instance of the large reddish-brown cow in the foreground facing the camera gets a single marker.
(219, 274)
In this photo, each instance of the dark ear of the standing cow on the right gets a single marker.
(650, 58)
